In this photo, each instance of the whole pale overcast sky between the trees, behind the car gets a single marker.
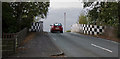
(73, 8)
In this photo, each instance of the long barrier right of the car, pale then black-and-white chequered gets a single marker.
(87, 29)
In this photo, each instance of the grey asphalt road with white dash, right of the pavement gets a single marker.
(78, 45)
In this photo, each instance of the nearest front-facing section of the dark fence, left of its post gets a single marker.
(8, 44)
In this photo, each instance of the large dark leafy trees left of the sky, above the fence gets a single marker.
(21, 14)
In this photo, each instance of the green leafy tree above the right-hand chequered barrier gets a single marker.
(103, 13)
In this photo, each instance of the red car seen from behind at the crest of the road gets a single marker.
(56, 27)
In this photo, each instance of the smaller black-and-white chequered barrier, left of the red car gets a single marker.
(36, 27)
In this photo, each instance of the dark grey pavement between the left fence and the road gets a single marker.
(39, 46)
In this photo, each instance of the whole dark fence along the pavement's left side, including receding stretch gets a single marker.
(11, 41)
